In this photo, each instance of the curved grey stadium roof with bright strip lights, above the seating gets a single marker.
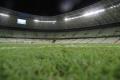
(101, 13)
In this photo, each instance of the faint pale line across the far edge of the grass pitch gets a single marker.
(67, 46)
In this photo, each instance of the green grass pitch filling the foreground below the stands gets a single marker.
(59, 62)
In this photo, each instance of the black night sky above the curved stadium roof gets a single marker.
(46, 7)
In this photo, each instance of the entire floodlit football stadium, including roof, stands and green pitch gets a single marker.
(82, 44)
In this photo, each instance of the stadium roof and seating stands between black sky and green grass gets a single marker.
(97, 23)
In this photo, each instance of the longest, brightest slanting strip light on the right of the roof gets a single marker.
(85, 15)
